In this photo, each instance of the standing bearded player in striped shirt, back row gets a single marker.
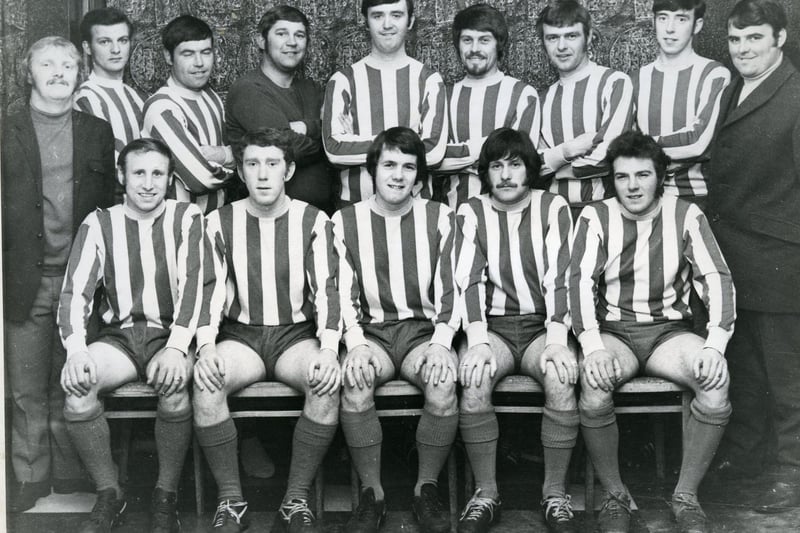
(484, 100)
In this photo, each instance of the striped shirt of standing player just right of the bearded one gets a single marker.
(598, 100)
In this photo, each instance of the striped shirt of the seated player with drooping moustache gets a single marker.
(514, 262)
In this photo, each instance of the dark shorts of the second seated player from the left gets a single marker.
(269, 342)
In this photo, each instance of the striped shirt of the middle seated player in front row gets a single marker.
(396, 267)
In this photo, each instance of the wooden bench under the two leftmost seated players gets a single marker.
(259, 400)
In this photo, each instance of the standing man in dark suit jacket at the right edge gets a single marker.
(754, 206)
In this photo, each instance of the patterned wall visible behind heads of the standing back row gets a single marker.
(623, 36)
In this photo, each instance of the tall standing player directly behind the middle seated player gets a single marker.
(385, 89)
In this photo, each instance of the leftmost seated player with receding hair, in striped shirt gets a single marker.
(149, 314)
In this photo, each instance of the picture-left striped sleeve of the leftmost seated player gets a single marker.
(84, 275)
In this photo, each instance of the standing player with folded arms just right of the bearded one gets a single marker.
(583, 111)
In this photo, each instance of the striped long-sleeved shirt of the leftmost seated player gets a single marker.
(150, 271)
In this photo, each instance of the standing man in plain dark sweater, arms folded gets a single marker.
(274, 95)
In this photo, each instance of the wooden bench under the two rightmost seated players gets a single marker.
(523, 395)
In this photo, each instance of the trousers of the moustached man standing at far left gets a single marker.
(40, 446)
